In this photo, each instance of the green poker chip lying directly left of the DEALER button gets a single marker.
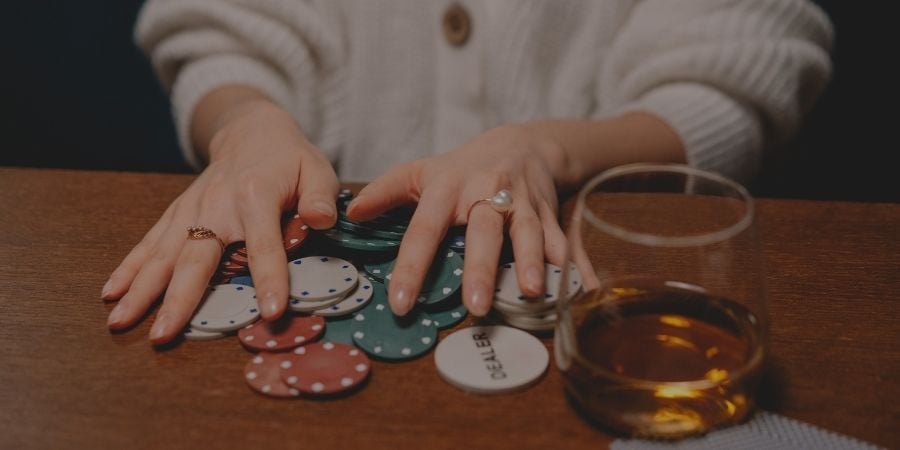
(383, 335)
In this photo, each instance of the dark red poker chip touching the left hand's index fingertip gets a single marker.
(284, 334)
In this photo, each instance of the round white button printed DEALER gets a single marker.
(491, 359)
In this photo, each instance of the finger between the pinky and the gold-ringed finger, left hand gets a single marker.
(153, 277)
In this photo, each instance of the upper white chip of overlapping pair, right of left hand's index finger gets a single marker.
(316, 278)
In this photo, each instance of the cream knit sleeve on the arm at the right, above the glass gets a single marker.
(731, 77)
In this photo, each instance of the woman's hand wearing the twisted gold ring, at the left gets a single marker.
(260, 165)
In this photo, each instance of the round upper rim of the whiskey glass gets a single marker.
(667, 241)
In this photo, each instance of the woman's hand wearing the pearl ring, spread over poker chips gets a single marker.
(518, 158)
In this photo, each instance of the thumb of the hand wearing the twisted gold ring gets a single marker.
(318, 188)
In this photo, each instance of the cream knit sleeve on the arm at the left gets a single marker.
(284, 48)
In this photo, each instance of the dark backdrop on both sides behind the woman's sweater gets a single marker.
(76, 92)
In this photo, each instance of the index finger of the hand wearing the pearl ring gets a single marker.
(423, 235)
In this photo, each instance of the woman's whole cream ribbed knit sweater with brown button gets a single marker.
(373, 83)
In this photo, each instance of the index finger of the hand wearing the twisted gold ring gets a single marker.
(266, 255)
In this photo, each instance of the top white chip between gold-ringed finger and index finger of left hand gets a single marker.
(226, 307)
